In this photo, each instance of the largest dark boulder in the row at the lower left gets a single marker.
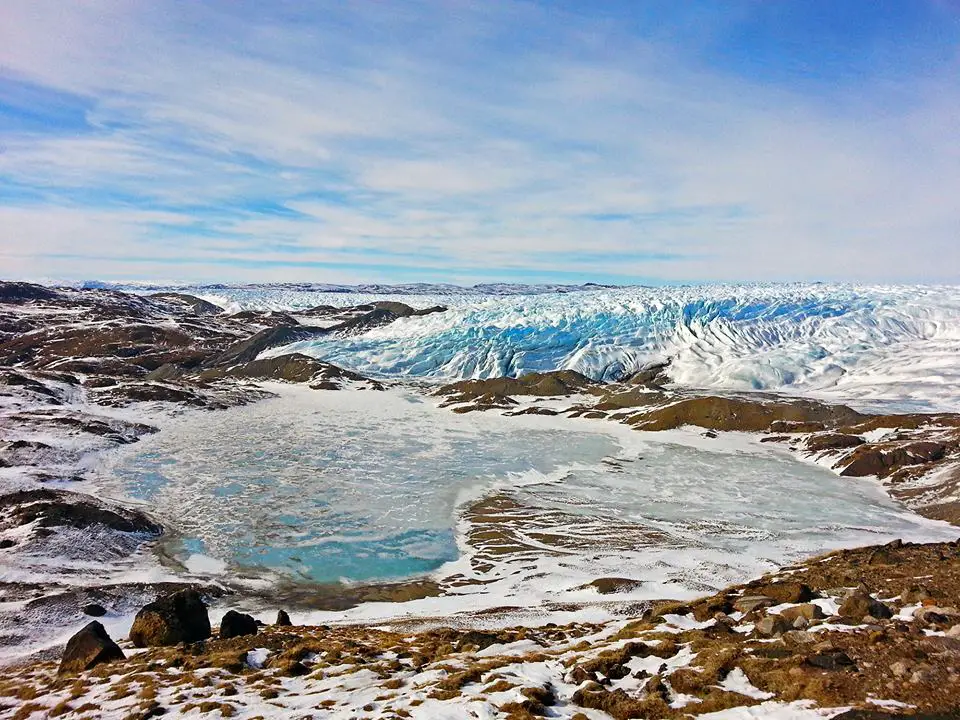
(172, 619)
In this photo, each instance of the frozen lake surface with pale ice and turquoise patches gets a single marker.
(367, 486)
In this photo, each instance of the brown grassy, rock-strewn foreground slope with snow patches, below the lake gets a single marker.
(676, 660)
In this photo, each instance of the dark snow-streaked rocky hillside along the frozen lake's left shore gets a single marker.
(80, 370)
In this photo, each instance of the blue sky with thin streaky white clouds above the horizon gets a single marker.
(452, 141)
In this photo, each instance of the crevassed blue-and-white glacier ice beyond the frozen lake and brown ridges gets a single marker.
(896, 345)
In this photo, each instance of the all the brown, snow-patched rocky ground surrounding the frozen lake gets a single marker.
(871, 633)
